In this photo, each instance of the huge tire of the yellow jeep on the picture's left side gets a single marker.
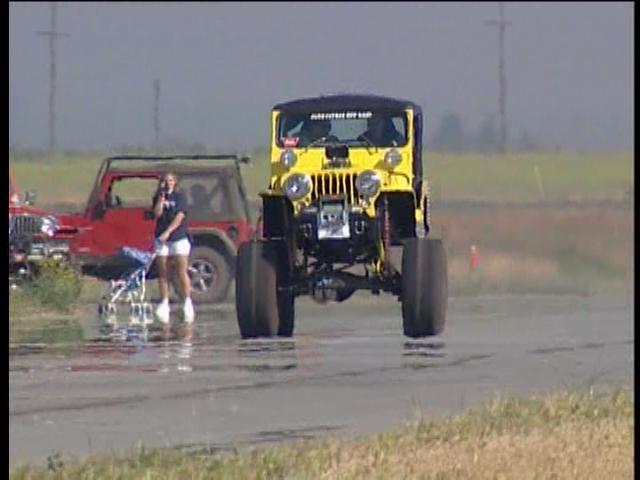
(262, 309)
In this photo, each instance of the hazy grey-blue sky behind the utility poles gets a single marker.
(222, 66)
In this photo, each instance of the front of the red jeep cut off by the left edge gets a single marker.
(31, 234)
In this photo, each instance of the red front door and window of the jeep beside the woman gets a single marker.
(124, 222)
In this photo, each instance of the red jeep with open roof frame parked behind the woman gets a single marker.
(118, 213)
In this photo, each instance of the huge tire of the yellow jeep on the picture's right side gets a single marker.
(424, 287)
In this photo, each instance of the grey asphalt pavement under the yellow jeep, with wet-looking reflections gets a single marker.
(348, 370)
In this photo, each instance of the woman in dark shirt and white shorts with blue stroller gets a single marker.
(172, 242)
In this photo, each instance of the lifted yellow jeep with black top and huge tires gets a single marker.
(346, 189)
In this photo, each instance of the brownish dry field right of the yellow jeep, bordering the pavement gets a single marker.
(538, 249)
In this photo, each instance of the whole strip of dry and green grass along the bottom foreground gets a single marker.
(561, 436)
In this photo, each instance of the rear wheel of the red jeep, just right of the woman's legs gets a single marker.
(210, 275)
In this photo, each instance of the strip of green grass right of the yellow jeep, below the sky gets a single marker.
(513, 178)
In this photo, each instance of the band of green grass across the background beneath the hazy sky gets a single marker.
(68, 179)
